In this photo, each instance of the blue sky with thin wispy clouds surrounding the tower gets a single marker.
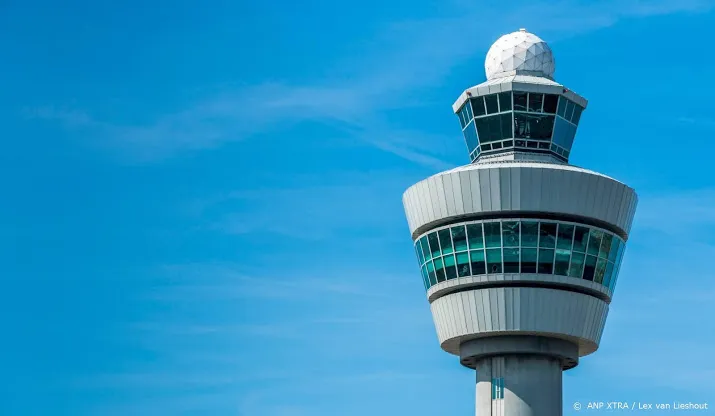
(202, 201)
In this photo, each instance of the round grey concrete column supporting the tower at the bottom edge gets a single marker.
(532, 386)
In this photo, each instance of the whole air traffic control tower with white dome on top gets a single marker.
(518, 250)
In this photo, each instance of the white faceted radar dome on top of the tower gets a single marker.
(520, 52)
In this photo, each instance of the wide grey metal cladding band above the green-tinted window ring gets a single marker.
(508, 187)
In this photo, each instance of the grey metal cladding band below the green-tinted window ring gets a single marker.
(488, 312)
